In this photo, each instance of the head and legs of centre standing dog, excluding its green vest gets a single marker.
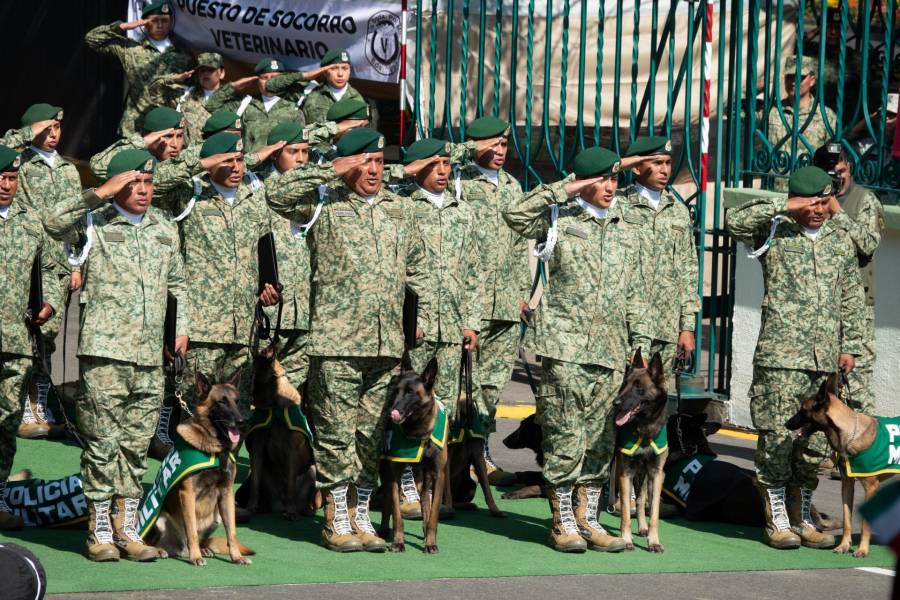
(415, 410)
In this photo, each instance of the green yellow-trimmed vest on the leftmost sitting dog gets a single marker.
(181, 461)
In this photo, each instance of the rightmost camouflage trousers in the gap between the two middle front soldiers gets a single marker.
(494, 362)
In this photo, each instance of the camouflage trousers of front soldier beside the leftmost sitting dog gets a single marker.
(117, 418)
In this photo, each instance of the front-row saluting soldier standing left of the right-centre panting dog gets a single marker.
(589, 320)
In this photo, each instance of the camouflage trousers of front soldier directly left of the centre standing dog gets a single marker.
(348, 401)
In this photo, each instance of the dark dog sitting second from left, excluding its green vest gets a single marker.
(282, 474)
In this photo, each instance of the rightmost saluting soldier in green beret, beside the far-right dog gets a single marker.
(812, 320)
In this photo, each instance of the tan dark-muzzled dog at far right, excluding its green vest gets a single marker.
(849, 433)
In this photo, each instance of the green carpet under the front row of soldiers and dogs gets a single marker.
(473, 545)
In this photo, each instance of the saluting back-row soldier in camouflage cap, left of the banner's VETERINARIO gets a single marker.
(190, 100)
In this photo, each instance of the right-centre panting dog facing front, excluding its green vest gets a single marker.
(642, 400)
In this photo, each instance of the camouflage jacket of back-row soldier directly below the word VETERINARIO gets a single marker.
(255, 120)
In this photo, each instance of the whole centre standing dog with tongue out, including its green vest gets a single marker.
(418, 433)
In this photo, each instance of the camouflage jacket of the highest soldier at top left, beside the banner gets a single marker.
(142, 63)
